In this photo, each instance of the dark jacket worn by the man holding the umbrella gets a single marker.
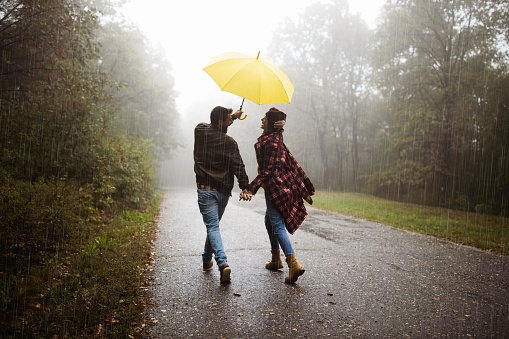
(217, 159)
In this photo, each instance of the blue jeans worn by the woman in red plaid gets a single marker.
(276, 229)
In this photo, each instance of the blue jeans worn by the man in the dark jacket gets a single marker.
(212, 205)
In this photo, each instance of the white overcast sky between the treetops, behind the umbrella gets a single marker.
(194, 31)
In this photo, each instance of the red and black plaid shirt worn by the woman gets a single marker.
(283, 179)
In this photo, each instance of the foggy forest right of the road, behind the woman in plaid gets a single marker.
(416, 110)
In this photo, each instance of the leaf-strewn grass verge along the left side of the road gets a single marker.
(93, 285)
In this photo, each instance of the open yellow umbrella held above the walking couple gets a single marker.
(255, 79)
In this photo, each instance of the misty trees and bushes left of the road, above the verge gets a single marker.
(86, 106)
